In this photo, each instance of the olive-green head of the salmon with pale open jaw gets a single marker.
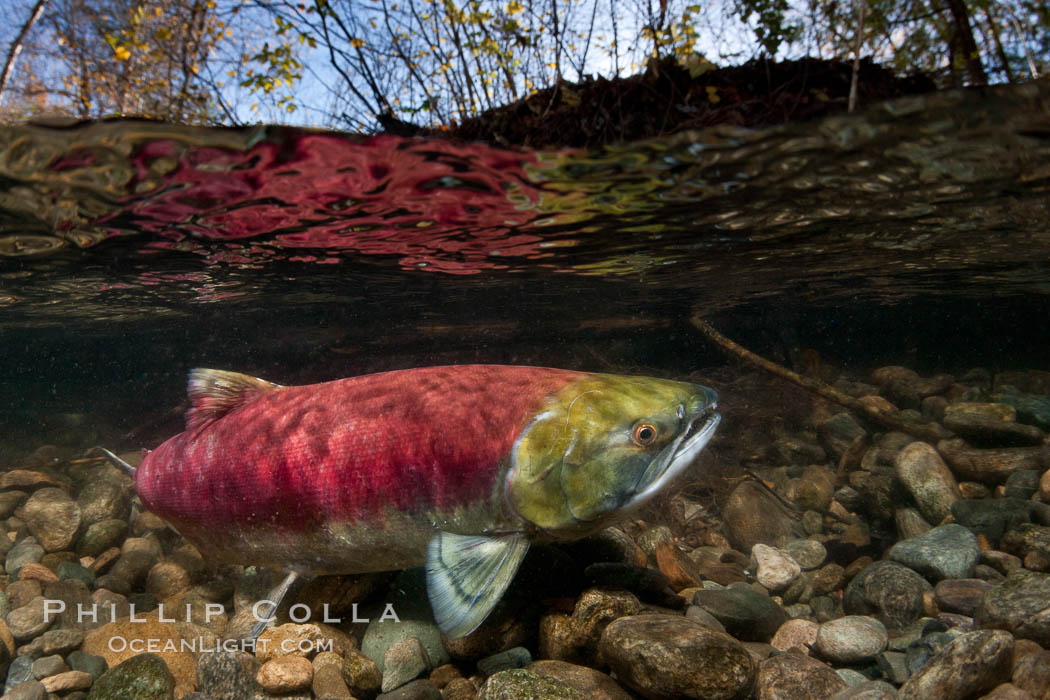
(604, 446)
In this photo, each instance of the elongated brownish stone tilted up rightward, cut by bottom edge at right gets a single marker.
(969, 667)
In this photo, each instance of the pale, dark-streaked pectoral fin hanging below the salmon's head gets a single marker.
(467, 577)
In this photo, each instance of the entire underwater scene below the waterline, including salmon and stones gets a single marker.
(727, 414)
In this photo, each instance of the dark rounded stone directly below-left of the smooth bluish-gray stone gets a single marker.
(888, 591)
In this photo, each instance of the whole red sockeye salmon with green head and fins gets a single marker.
(456, 469)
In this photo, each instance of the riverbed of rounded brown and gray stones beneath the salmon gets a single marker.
(839, 561)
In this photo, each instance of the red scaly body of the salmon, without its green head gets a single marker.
(282, 466)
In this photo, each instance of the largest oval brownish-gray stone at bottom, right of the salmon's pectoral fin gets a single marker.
(673, 656)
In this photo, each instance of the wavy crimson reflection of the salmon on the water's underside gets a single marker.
(455, 208)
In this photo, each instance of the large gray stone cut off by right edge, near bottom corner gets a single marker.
(1021, 605)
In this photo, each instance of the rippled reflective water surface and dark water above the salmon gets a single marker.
(131, 251)
